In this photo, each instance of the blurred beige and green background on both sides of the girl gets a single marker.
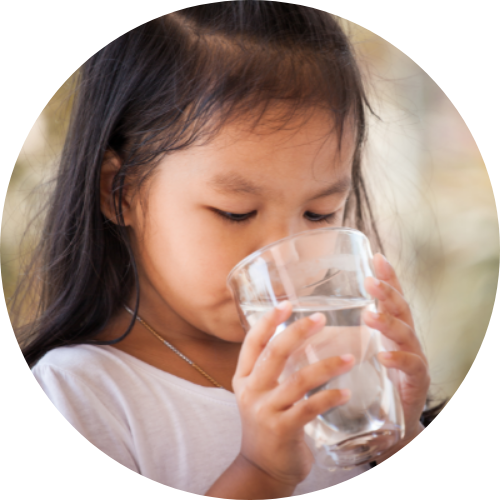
(434, 204)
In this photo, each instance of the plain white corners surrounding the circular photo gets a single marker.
(44, 42)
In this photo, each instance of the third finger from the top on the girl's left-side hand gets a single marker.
(301, 382)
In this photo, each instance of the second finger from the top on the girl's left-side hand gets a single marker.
(272, 359)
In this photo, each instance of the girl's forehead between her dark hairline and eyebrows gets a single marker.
(244, 155)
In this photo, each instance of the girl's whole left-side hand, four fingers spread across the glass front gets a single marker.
(274, 414)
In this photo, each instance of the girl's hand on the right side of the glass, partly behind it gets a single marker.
(395, 321)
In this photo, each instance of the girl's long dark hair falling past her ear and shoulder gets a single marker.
(156, 90)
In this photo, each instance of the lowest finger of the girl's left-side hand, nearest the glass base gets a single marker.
(306, 410)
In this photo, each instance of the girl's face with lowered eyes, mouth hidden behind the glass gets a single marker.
(211, 205)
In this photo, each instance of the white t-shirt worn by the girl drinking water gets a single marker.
(159, 425)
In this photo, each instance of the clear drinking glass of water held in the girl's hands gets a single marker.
(324, 270)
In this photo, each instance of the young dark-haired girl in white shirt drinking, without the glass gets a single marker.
(196, 139)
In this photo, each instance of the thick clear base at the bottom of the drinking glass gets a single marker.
(361, 449)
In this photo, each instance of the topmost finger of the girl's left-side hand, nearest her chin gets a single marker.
(258, 337)
